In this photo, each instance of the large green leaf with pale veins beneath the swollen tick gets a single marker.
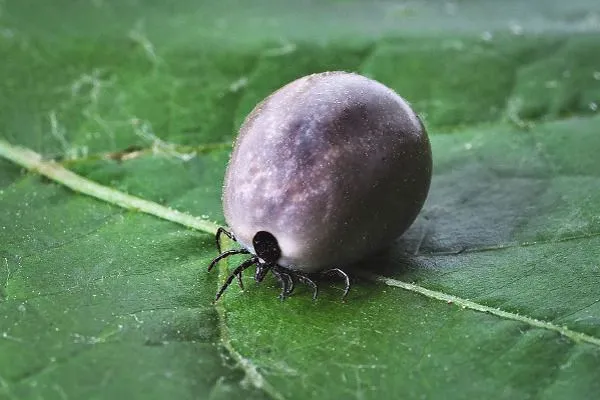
(493, 293)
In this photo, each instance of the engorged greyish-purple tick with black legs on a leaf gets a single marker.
(326, 171)
